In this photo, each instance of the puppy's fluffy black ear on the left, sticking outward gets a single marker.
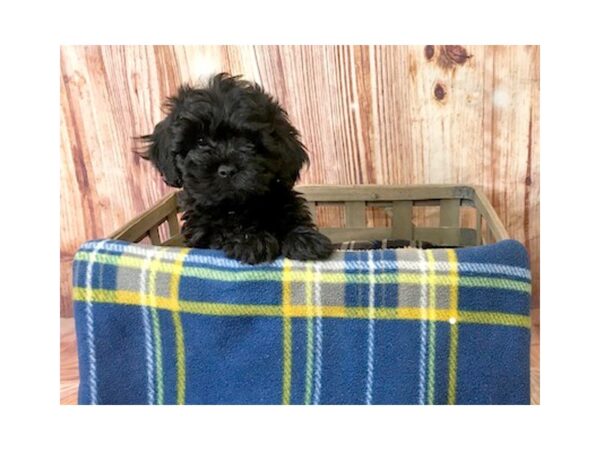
(166, 141)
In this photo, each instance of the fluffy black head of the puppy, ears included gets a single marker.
(226, 141)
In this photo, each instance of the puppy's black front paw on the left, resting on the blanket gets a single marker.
(253, 248)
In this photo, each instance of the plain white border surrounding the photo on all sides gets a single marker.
(31, 35)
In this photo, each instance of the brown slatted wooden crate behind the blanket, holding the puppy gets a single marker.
(398, 202)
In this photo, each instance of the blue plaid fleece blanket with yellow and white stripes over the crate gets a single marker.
(159, 325)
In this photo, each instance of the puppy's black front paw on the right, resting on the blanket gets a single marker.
(306, 244)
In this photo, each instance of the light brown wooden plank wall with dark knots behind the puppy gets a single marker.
(368, 114)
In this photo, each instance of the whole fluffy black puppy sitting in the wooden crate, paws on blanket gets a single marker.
(232, 149)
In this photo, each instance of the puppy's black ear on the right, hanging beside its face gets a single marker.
(293, 152)
